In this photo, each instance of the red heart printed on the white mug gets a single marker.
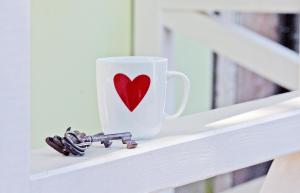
(131, 92)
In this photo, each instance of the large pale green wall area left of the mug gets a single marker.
(66, 38)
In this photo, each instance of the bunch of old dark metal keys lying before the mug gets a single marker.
(76, 143)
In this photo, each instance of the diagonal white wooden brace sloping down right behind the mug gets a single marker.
(247, 48)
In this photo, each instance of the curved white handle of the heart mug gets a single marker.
(186, 81)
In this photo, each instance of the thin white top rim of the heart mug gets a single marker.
(133, 59)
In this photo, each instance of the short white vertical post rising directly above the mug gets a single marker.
(147, 28)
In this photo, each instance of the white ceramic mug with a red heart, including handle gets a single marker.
(132, 94)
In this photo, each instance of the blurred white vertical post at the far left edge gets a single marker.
(14, 95)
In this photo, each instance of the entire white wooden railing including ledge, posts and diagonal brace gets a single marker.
(191, 148)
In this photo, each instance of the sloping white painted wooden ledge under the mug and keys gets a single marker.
(191, 148)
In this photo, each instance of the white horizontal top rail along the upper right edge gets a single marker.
(276, 6)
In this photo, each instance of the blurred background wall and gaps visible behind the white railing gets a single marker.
(68, 36)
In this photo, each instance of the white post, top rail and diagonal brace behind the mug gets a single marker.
(193, 18)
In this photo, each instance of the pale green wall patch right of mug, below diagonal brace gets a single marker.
(196, 62)
